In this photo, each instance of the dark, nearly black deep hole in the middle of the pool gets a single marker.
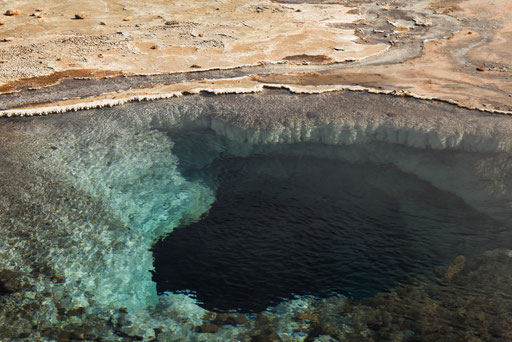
(282, 226)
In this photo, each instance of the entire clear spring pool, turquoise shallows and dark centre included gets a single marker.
(341, 216)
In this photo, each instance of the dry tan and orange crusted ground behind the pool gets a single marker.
(450, 50)
